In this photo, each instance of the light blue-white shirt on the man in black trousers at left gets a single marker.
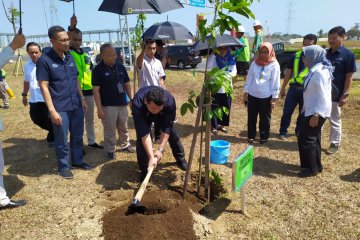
(30, 77)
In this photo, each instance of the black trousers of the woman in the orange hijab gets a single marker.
(261, 107)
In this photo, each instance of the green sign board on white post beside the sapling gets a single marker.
(242, 168)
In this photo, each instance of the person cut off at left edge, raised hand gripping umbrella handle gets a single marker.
(5, 55)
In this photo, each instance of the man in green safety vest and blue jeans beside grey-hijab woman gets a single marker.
(295, 74)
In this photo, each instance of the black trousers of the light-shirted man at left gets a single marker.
(39, 114)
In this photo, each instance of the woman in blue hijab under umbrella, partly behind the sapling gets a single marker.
(222, 59)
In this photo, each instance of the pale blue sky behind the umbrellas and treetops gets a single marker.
(307, 16)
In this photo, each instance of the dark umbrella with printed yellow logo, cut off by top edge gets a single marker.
(125, 7)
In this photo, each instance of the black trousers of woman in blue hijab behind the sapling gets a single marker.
(221, 100)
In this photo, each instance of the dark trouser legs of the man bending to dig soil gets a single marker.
(175, 145)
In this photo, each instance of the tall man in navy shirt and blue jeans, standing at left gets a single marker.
(57, 75)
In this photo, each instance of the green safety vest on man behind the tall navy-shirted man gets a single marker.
(83, 64)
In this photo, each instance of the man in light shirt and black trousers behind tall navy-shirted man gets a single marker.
(39, 113)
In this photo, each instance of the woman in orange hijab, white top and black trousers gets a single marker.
(261, 91)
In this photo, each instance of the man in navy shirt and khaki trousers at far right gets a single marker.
(344, 63)
